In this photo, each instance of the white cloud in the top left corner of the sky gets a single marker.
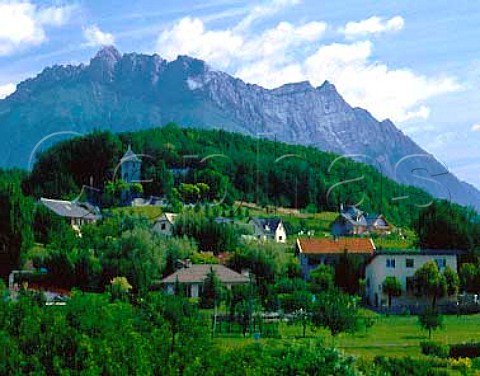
(23, 24)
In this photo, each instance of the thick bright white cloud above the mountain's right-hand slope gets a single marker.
(397, 94)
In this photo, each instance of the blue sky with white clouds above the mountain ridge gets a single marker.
(415, 62)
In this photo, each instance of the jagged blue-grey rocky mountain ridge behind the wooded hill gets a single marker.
(132, 91)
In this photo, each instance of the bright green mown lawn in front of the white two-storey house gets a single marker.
(390, 336)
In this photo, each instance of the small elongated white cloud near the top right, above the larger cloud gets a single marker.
(373, 25)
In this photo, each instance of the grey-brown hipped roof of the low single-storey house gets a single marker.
(198, 273)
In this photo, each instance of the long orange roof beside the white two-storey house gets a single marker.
(337, 246)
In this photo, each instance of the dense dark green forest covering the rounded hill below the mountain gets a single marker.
(235, 166)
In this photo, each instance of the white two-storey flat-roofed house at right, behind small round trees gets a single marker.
(401, 264)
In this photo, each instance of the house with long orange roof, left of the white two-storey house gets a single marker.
(313, 252)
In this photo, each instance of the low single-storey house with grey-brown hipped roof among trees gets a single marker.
(193, 276)
